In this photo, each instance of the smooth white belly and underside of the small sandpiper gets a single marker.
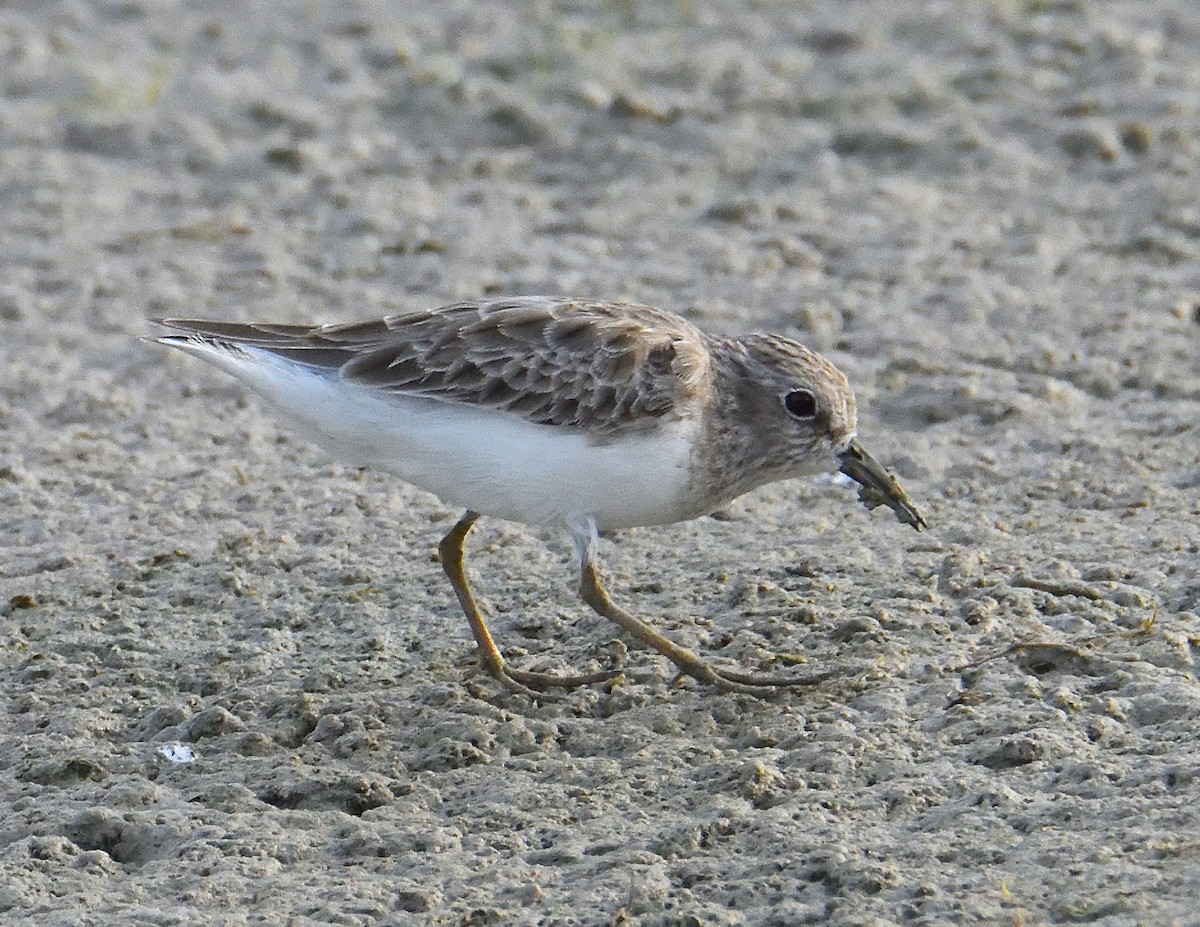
(481, 459)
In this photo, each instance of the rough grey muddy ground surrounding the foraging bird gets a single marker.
(987, 214)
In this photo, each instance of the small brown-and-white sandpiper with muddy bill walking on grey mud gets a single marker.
(592, 416)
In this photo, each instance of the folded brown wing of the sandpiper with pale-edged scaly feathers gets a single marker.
(597, 366)
